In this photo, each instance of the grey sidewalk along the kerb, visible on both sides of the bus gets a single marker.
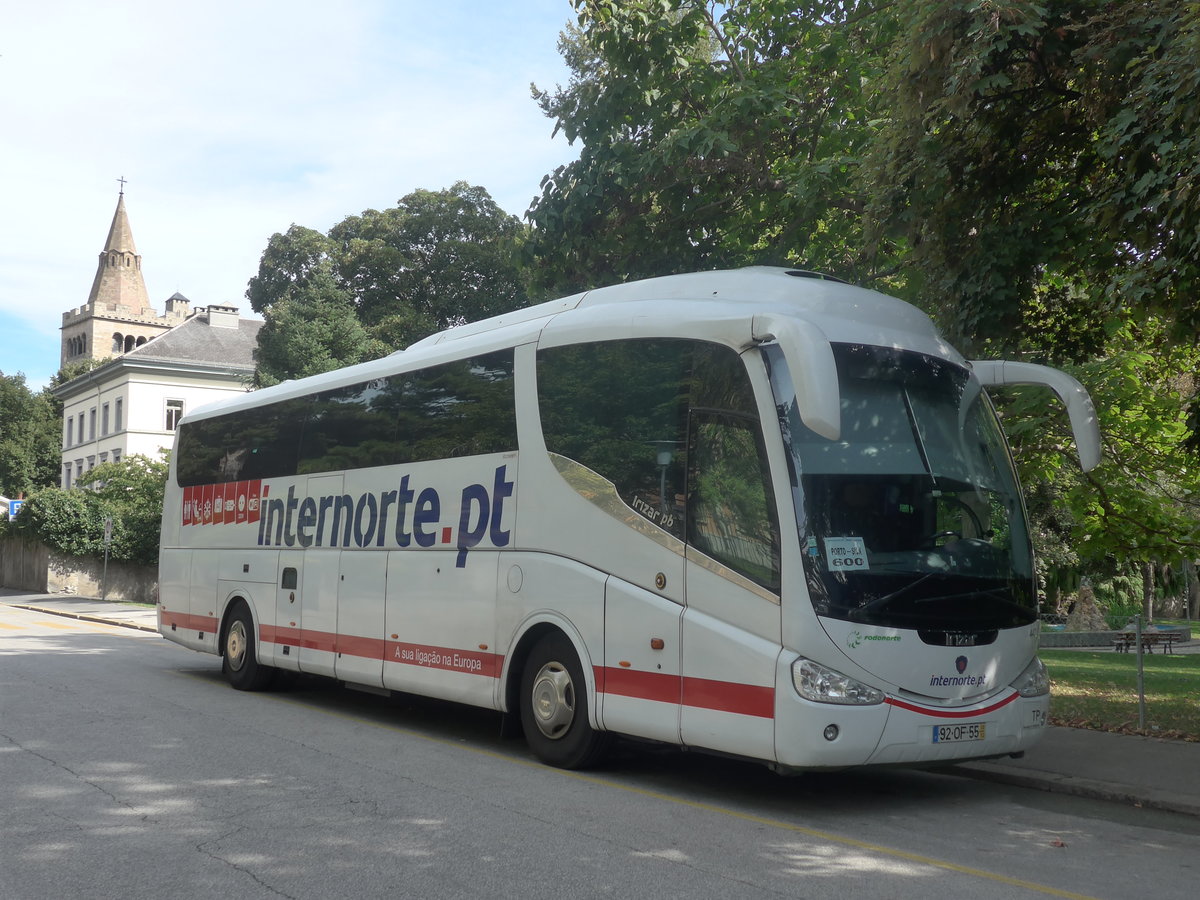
(1121, 769)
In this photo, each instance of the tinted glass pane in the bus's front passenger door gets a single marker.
(731, 517)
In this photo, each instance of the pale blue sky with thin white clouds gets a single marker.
(233, 121)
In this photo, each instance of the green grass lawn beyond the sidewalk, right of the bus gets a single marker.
(1100, 691)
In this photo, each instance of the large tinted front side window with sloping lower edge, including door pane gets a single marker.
(674, 427)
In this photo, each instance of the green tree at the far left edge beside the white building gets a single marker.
(31, 437)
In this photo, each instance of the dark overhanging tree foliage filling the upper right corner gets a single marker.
(1033, 141)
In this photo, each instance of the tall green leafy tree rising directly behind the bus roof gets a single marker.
(712, 135)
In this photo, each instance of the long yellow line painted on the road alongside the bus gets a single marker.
(830, 837)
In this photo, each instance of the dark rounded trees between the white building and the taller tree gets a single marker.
(382, 280)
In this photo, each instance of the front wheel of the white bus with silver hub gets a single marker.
(555, 706)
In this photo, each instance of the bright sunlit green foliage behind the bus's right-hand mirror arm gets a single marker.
(1142, 506)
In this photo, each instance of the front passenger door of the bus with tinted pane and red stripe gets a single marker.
(731, 627)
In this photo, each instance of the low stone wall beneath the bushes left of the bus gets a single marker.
(31, 566)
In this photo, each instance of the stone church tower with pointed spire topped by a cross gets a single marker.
(118, 315)
